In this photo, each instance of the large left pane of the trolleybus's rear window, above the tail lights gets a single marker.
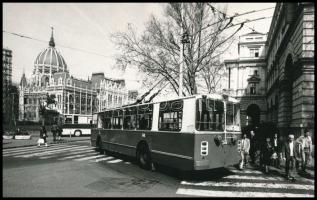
(209, 115)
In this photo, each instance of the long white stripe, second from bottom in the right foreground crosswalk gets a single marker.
(255, 185)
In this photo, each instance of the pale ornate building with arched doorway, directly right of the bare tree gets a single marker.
(247, 77)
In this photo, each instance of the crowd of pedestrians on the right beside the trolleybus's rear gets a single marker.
(295, 153)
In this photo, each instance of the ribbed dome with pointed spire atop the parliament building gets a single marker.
(49, 61)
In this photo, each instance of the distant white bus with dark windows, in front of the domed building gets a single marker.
(77, 129)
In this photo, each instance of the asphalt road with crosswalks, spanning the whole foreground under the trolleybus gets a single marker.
(76, 170)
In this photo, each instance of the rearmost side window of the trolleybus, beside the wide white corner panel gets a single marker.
(170, 115)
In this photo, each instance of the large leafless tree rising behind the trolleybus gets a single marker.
(157, 51)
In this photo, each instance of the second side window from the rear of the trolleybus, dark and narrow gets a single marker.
(144, 117)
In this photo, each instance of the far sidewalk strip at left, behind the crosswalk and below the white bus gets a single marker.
(12, 143)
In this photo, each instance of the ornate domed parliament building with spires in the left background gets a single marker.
(76, 99)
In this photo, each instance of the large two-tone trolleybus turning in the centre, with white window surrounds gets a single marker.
(190, 133)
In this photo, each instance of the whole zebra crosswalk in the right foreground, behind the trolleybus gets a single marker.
(247, 183)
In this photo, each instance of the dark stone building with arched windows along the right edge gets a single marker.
(290, 67)
